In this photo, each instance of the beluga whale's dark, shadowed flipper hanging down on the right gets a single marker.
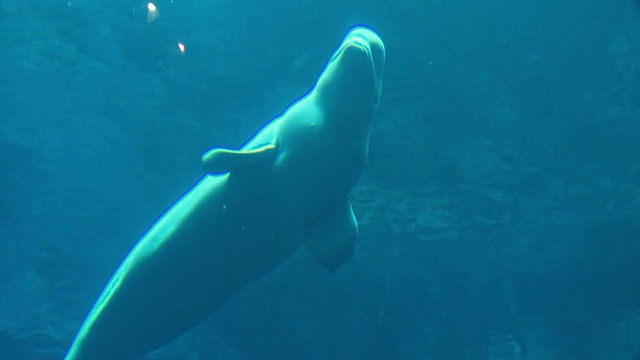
(331, 237)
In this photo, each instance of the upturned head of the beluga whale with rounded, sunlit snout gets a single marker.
(351, 83)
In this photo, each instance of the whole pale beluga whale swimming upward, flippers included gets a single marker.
(287, 187)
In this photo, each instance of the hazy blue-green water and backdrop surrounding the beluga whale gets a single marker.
(499, 209)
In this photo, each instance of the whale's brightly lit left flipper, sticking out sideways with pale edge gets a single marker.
(220, 160)
